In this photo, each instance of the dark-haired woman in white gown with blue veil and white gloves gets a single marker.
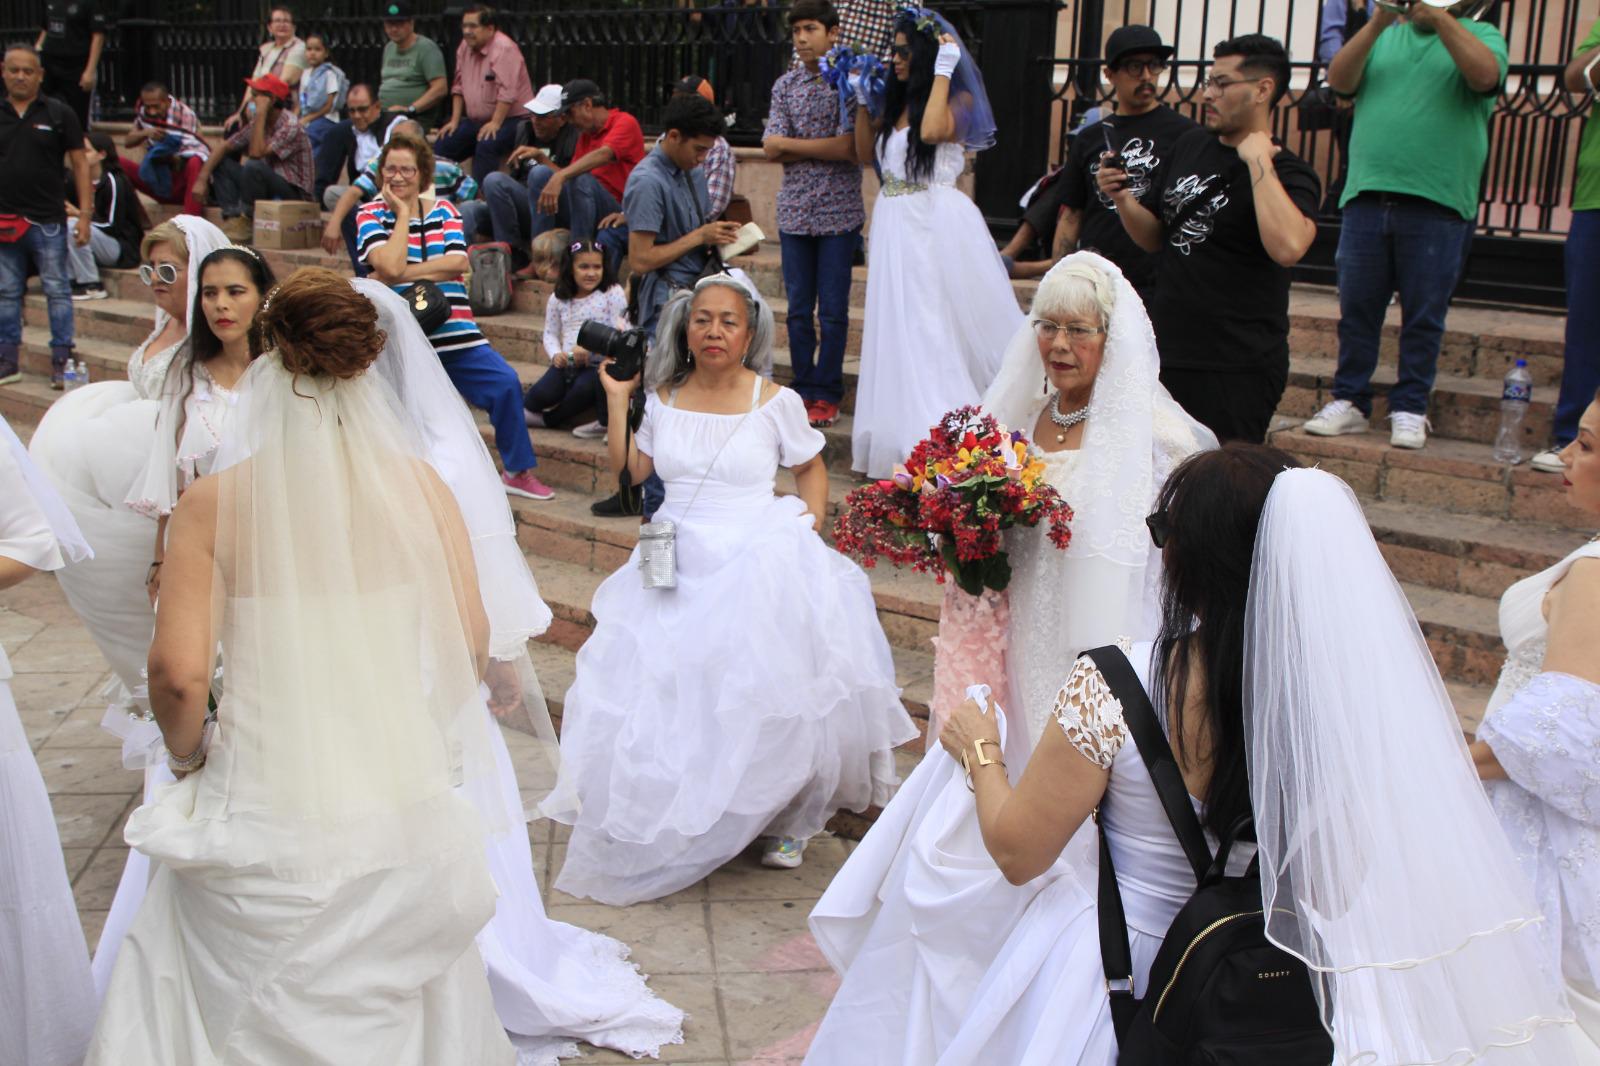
(940, 307)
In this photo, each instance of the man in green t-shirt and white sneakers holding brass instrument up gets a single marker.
(1425, 87)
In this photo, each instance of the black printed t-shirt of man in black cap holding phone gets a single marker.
(1143, 142)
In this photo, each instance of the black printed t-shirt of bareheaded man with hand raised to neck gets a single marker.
(1222, 303)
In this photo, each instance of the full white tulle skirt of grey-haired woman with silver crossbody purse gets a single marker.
(754, 699)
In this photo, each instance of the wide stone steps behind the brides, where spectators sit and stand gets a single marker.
(1455, 527)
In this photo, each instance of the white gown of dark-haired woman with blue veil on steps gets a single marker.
(940, 308)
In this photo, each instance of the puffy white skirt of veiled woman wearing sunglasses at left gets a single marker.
(94, 446)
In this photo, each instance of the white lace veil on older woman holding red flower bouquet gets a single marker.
(1106, 585)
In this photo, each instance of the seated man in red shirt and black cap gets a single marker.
(591, 188)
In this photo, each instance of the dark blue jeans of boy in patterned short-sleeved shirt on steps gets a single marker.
(817, 276)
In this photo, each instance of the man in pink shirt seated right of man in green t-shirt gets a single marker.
(489, 98)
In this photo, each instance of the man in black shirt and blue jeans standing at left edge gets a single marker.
(39, 137)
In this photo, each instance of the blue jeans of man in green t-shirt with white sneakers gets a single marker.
(1414, 249)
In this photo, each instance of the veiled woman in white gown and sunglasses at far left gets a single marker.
(94, 444)
